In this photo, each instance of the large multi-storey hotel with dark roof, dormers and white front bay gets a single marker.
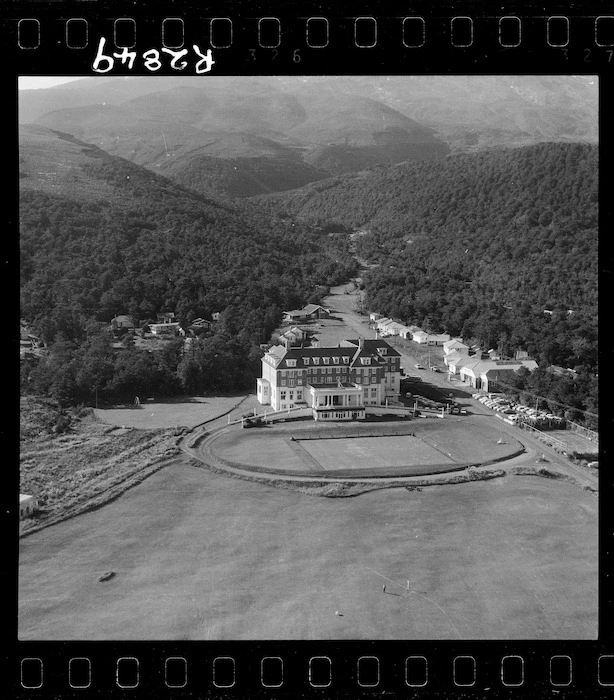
(335, 382)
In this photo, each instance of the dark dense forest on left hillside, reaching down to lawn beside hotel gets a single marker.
(152, 247)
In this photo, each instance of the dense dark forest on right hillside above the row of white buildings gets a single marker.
(498, 247)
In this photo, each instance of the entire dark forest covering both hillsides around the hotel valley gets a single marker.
(499, 247)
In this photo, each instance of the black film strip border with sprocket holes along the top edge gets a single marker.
(298, 43)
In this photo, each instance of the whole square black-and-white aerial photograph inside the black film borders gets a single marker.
(308, 357)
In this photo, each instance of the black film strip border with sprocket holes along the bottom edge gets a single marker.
(336, 673)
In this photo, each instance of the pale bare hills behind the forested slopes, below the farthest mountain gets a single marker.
(274, 140)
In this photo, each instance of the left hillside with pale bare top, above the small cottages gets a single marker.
(101, 236)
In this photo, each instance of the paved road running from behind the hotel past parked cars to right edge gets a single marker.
(345, 305)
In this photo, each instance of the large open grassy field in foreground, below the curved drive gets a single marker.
(201, 556)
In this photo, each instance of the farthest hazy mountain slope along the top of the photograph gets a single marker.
(467, 111)
